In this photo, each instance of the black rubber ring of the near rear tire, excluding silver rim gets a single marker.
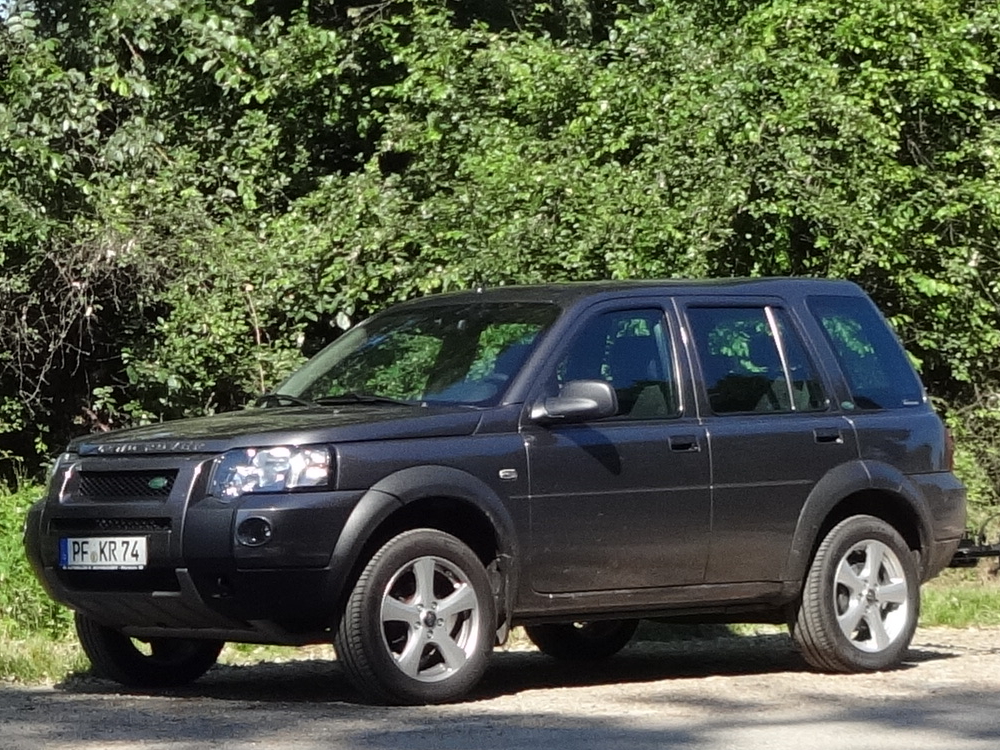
(841, 539)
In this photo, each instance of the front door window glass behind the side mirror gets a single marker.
(631, 350)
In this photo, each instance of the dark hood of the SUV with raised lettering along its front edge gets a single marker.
(284, 426)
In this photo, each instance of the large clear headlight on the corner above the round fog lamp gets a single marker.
(270, 470)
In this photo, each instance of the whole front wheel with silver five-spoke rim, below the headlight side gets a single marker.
(420, 623)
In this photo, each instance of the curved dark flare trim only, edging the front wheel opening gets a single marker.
(394, 491)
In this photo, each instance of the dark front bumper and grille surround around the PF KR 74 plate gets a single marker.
(199, 581)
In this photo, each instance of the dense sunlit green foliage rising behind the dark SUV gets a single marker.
(195, 194)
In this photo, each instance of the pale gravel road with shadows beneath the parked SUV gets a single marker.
(751, 692)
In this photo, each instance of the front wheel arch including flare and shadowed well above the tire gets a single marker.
(438, 497)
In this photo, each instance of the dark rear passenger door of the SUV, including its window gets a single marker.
(772, 429)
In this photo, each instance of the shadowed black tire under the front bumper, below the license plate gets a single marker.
(170, 661)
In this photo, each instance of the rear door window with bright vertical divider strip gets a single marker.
(753, 361)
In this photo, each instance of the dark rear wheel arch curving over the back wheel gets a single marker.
(859, 488)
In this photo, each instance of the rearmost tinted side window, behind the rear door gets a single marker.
(874, 363)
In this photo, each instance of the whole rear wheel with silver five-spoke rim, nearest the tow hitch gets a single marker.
(861, 599)
